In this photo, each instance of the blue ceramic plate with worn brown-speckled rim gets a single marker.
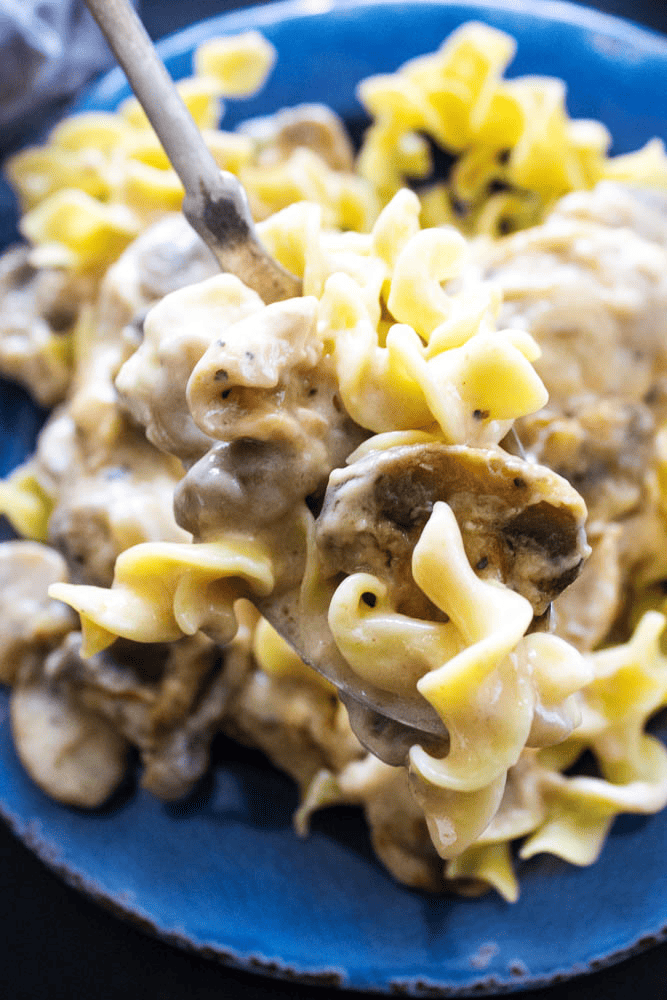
(222, 871)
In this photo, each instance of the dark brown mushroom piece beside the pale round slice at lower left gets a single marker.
(167, 700)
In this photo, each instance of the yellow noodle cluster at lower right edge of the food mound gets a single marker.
(570, 816)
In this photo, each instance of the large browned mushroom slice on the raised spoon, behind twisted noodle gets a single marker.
(521, 524)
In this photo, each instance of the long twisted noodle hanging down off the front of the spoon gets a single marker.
(491, 688)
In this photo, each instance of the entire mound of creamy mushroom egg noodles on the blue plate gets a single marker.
(353, 451)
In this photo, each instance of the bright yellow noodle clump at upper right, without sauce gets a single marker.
(514, 147)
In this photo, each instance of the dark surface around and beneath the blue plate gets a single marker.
(57, 944)
